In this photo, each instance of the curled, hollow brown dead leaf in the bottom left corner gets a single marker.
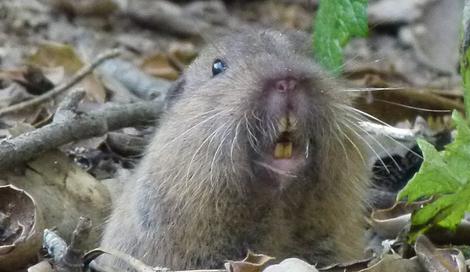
(21, 227)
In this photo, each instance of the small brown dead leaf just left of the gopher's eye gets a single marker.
(159, 65)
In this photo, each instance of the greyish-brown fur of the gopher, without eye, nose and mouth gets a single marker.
(198, 196)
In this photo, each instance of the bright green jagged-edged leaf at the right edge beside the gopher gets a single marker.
(444, 175)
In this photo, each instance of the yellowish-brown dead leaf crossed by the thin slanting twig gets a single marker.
(53, 55)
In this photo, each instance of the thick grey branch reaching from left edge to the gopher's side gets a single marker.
(76, 127)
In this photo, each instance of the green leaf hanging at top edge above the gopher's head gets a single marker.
(336, 22)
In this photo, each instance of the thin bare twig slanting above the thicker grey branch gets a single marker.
(82, 73)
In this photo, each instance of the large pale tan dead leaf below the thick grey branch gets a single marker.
(63, 192)
